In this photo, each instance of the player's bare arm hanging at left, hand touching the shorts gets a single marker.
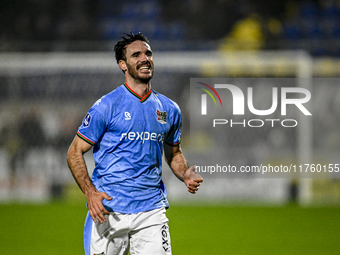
(78, 168)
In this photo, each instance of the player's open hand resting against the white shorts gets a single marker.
(96, 207)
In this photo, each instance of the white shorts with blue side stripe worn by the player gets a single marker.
(144, 233)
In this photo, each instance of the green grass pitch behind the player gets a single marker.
(57, 228)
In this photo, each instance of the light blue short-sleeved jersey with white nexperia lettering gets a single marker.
(128, 133)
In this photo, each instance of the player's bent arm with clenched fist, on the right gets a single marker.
(179, 166)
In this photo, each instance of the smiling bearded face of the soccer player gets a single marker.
(139, 62)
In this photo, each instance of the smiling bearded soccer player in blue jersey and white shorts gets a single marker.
(129, 128)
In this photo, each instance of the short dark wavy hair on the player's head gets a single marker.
(120, 47)
